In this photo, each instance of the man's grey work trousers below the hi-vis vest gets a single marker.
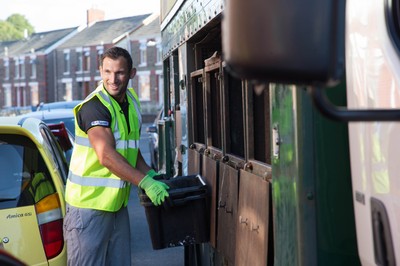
(97, 237)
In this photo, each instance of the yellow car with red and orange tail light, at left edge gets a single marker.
(33, 172)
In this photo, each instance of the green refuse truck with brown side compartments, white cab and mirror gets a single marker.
(289, 110)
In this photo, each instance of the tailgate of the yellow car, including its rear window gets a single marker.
(19, 230)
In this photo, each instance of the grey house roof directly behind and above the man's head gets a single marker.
(104, 32)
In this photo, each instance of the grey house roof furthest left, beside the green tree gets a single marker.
(37, 42)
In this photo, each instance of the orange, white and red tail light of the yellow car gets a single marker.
(50, 221)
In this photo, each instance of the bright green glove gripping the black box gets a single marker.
(155, 190)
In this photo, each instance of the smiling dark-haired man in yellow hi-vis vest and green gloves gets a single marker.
(106, 160)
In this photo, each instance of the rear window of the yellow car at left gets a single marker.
(24, 177)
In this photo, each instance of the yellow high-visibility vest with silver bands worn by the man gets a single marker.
(89, 184)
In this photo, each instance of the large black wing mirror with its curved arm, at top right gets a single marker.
(293, 42)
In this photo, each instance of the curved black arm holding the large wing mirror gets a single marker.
(346, 115)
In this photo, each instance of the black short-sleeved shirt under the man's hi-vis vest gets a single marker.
(94, 113)
